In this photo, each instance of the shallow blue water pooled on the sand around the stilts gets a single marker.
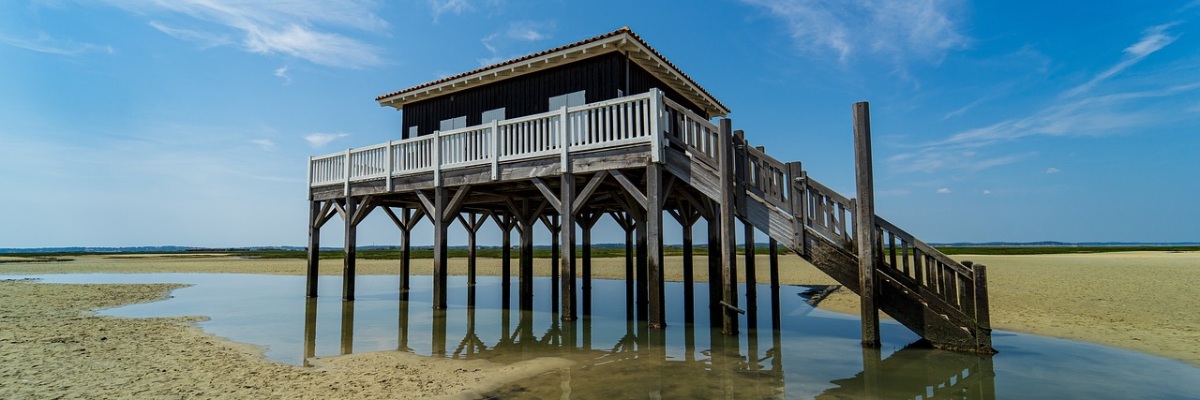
(813, 354)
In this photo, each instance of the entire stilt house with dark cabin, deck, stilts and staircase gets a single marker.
(608, 127)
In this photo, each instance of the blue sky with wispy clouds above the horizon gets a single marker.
(190, 122)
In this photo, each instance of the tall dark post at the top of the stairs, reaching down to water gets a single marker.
(729, 244)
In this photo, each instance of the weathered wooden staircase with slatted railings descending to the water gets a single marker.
(939, 298)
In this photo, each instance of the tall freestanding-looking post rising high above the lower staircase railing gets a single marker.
(865, 225)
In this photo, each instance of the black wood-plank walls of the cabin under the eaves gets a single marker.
(602, 77)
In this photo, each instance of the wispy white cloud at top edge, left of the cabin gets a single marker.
(301, 29)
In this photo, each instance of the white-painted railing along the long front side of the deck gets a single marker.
(602, 126)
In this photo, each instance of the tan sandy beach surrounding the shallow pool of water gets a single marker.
(52, 345)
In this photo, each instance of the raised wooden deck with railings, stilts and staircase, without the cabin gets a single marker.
(633, 159)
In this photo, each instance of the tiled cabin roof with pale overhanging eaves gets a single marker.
(622, 40)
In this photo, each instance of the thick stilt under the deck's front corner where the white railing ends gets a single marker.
(655, 246)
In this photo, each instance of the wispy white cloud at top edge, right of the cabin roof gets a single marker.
(901, 31)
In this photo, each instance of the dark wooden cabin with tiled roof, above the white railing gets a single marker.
(591, 71)
